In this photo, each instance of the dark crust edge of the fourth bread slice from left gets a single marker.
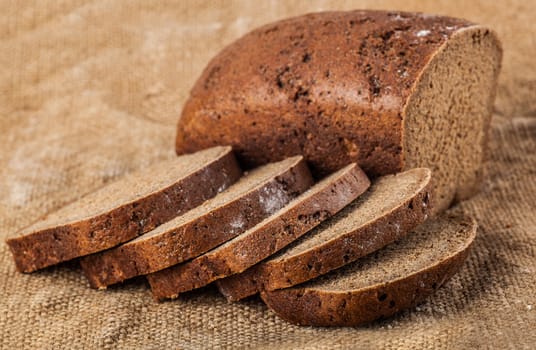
(283, 273)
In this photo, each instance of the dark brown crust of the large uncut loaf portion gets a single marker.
(335, 103)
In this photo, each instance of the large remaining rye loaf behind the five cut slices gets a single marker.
(368, 87)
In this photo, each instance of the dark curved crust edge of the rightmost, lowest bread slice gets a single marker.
(355, 307)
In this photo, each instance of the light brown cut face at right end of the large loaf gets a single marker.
(447, 117)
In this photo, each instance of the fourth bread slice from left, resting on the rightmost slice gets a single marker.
(393, 206)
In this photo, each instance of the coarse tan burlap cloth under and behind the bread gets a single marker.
(91, 91)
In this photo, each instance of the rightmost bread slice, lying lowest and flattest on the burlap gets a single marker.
(394, 278)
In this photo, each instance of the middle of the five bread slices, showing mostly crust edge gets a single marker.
(308, 210)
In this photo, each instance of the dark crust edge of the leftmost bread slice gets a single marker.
(51, 246)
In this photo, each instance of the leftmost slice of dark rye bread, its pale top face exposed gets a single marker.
(124, 209)
